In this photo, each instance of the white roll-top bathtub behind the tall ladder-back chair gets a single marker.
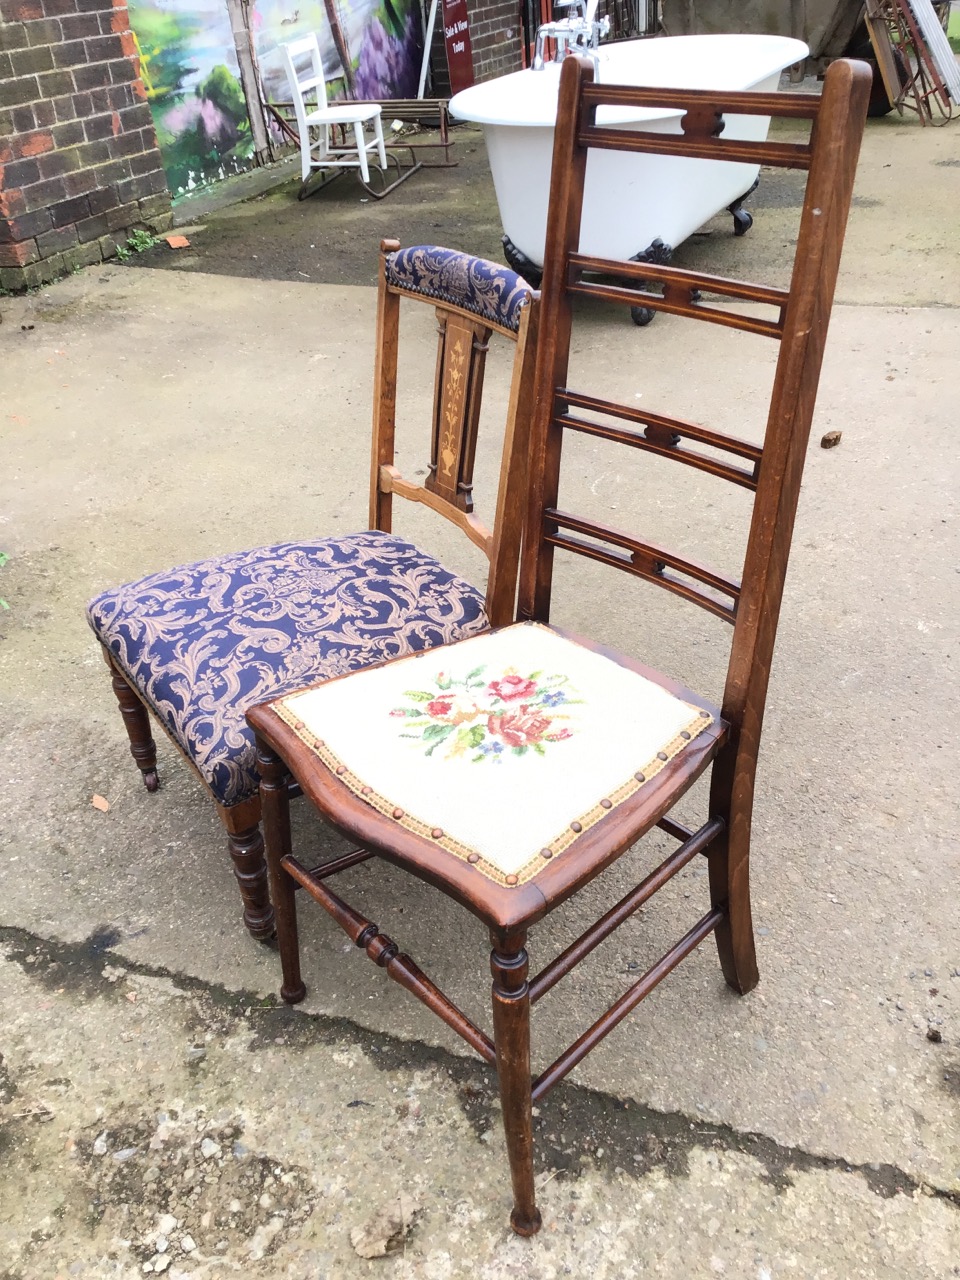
(630, 202)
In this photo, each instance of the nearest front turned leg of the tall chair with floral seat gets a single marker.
(511, 1034)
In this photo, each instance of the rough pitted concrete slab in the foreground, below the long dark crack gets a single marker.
(156, 1124)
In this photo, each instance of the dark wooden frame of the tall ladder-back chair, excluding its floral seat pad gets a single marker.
(732, 744)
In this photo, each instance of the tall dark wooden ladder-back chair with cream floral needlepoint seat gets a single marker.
(510, 770)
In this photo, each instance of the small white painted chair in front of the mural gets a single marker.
(317, 117)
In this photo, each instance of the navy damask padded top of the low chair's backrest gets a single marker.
(488, 290)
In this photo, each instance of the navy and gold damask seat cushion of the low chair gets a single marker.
(205, 642)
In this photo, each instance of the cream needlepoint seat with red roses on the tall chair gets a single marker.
(502, 752)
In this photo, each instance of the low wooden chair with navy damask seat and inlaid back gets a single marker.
(199, 644)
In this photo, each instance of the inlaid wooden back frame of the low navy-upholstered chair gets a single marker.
(461, 363)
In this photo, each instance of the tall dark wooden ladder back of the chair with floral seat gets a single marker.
(801, 326)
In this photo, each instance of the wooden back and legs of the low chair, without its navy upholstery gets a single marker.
(463, 342)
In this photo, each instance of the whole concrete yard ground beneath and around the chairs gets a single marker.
(159, 1113)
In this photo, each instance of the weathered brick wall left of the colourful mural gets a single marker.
(79, 159)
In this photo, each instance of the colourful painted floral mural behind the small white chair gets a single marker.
(372, 49)
